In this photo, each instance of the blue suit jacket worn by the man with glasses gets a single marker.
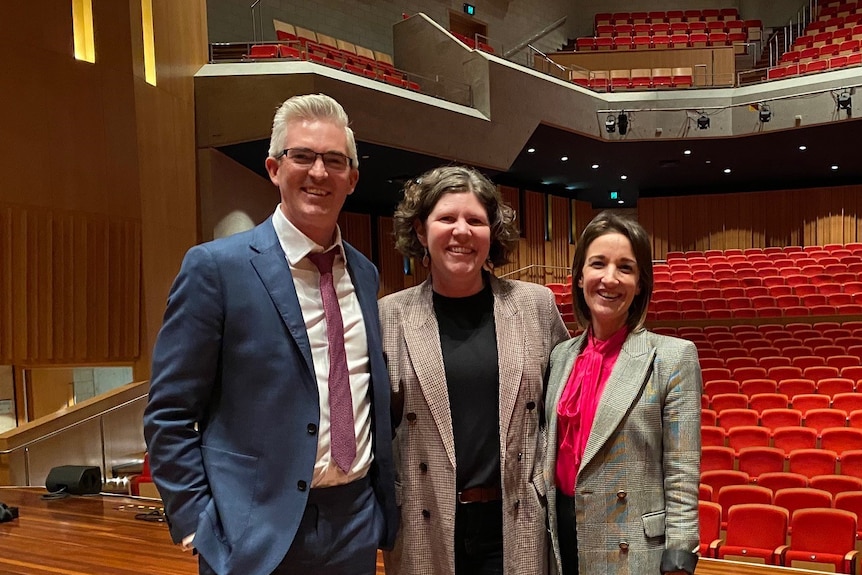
(233, 397)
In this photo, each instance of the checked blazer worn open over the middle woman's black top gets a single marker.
(528, 327)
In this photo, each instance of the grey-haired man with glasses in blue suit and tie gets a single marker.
(257, 470)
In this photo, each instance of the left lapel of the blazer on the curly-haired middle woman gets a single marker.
(422, 335)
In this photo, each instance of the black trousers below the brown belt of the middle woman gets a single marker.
(479, 538)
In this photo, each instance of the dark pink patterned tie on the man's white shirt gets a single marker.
(342, 435)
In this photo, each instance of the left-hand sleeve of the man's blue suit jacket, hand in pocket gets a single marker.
(185, 371)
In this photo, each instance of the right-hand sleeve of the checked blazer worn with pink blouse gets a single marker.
(681, 460)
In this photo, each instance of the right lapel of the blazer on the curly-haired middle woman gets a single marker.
(510, 352)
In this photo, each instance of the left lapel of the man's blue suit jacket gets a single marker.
(271, 266)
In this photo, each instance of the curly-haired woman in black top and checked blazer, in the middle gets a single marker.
(467, 355)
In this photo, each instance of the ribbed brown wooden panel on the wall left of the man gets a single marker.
(71, 287)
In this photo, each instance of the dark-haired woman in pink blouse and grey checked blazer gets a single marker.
(623, 415)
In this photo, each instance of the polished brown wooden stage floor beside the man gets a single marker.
(88, 535)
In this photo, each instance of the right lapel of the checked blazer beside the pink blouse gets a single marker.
(629, 375)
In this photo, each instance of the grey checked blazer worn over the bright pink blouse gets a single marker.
(636, 494)
